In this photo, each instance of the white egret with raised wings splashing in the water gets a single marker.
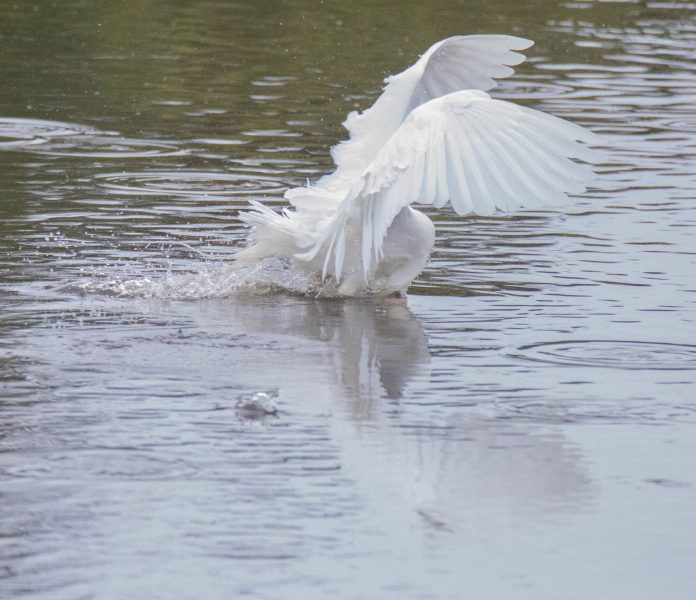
(433, 136)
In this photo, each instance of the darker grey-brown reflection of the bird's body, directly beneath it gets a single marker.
(375, 348)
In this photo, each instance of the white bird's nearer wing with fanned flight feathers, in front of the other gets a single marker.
(479, 154)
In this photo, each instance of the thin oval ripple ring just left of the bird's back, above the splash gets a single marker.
(189, 183)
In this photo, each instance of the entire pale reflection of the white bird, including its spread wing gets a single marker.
(447, 462)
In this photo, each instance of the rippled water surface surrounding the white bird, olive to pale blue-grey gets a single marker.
(522, 427)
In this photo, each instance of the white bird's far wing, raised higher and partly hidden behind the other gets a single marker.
(457, 63)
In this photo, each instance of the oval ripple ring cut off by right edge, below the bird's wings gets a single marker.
(617, 354)
